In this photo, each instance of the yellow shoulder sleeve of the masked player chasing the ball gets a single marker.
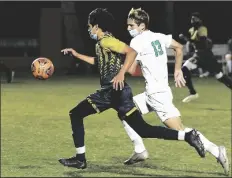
(113, 44)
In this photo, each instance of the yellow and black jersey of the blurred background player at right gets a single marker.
(196, 35)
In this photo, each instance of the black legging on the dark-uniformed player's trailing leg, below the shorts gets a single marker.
(146, 130)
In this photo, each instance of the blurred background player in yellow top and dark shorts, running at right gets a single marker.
(202, 56)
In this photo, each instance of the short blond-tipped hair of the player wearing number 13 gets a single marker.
(139, 16)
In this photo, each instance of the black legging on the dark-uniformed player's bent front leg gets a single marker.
(77, 115)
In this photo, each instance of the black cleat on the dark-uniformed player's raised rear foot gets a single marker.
(194, 140)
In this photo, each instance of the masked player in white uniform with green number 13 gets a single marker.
(152, 62)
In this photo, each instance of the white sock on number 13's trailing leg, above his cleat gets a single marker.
(209, 146)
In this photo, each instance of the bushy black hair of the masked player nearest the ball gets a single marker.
(102, 18)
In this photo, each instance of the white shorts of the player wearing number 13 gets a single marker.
(160, 102)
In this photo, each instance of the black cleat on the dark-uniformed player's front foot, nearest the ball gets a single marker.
(73, 162)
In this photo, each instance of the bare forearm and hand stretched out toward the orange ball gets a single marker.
(82, 57)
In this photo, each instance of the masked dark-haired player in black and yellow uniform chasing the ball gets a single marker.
(108, 50)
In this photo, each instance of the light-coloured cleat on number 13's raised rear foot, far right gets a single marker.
(223, 160)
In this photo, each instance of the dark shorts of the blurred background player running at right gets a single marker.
(207, 61)
